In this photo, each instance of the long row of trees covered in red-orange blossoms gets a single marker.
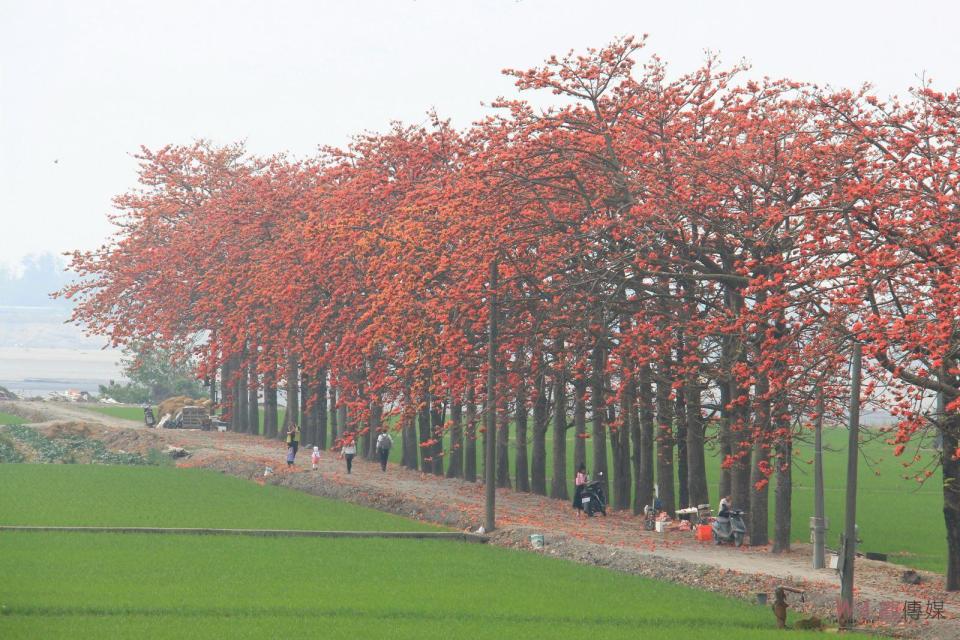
(683, 267)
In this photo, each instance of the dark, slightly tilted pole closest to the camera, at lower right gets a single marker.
(850, 528)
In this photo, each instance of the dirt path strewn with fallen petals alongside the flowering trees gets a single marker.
(617, 541)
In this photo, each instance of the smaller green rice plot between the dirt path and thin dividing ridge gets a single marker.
(103, 495)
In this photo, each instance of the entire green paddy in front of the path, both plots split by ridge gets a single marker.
(85, 585)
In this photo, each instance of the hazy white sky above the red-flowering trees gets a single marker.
(87, 82)
